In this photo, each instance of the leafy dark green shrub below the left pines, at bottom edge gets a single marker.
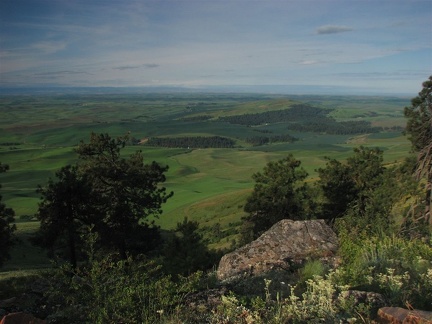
(111, 290)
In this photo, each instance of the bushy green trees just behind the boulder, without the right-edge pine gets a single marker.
(351, 194)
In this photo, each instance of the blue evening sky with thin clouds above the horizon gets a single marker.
(380, 46)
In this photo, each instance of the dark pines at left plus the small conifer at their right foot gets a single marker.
(112, 199)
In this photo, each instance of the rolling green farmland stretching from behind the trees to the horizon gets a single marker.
(210, 184)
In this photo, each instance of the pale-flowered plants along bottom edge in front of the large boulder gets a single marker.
(323, 301)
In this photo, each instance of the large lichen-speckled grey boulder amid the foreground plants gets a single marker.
(284, 246)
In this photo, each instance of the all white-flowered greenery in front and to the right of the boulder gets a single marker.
(399, 269)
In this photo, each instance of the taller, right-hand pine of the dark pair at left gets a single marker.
(128, 190)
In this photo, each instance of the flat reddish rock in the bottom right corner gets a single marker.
(397, 315)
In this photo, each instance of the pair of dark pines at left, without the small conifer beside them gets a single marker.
(104, 193)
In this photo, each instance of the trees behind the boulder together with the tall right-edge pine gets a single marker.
(353, 194)
